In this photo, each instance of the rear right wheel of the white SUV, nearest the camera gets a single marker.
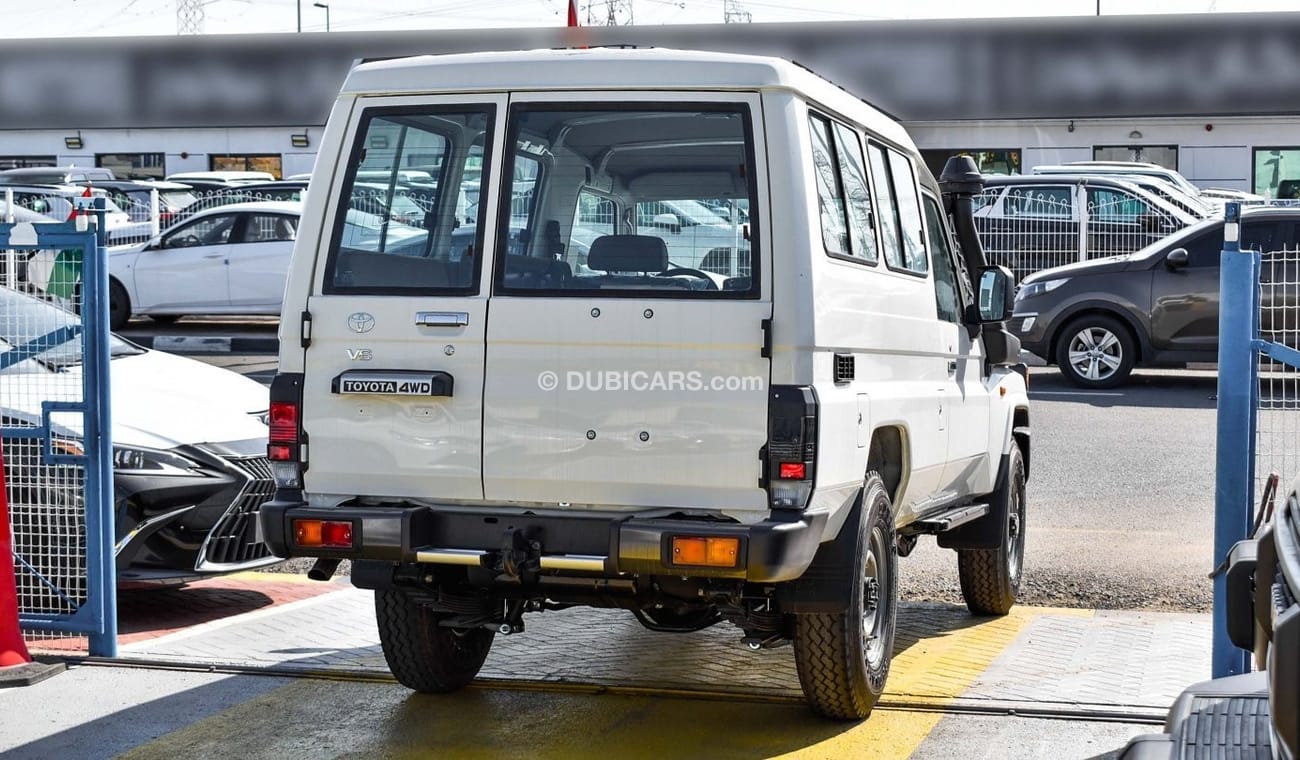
(843, 674)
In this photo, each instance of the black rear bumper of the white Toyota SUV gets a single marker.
(606, 544)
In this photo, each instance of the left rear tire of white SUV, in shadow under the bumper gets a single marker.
(423, 655)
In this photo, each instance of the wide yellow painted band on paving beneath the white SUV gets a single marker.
(357, 719)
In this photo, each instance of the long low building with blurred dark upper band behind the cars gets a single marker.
(1216, 97)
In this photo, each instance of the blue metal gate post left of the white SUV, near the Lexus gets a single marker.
(99, 441)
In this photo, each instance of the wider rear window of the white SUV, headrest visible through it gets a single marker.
(651, 194)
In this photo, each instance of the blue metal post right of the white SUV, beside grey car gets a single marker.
(1238, 368)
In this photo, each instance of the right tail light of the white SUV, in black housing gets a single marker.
(791, 451)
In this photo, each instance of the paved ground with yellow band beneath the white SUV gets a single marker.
(304, 676)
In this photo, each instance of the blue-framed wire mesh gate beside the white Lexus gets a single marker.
(63, 471)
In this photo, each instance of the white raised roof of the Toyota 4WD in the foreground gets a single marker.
(609, 70)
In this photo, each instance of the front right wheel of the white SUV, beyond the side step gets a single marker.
(991, 579)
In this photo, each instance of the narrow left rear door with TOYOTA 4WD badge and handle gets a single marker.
(395, 368)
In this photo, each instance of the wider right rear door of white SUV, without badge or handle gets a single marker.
(618, 374)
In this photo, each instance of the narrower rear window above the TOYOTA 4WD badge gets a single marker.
(406, 222)
